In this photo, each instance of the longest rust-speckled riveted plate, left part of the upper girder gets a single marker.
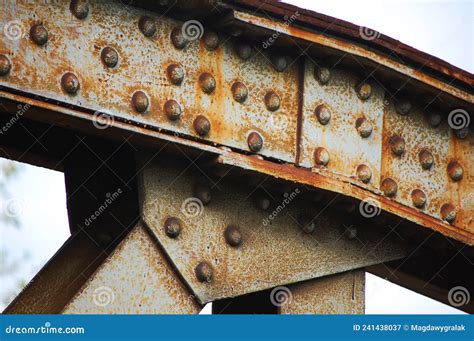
(76, 46)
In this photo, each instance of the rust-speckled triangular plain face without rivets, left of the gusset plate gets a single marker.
(135, 279)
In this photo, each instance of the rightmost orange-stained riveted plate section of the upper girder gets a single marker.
(435, 182)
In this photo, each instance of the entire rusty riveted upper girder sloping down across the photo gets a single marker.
(338, 128)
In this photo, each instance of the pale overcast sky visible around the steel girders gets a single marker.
(441, 28)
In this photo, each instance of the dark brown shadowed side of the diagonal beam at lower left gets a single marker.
(57, 282)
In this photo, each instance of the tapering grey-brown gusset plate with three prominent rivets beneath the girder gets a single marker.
(274, 251)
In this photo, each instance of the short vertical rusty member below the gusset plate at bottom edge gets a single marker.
(342, 293)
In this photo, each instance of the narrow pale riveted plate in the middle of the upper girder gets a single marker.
(346, 148)
